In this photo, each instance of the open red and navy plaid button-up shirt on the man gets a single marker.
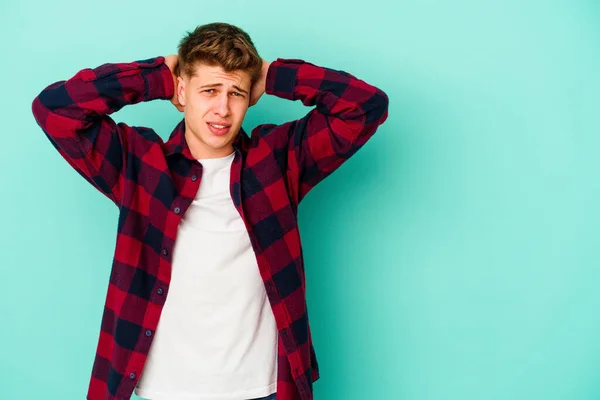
(154, 182)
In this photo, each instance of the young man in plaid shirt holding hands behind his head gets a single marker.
(206, 298)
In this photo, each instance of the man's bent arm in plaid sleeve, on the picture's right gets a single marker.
(347, 113)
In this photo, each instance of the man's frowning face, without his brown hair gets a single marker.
(214, 105)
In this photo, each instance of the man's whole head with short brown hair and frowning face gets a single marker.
(218, 64)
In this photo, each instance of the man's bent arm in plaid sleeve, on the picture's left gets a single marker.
(74, 115)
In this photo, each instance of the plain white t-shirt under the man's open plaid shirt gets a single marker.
(216, 338)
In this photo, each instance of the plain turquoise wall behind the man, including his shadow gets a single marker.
(454, 257)
